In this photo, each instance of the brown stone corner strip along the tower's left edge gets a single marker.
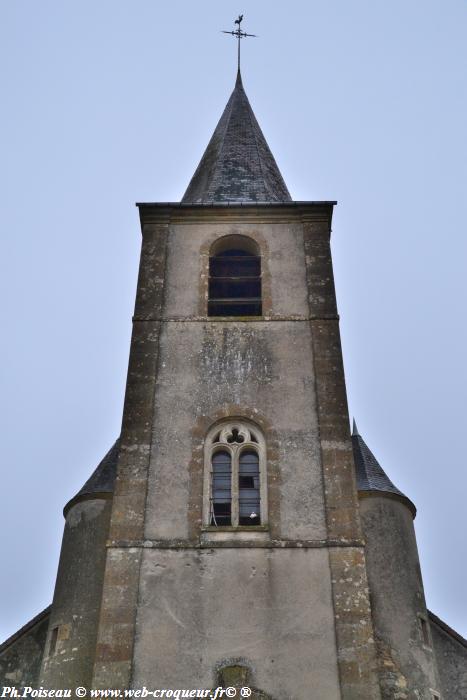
(116, 634)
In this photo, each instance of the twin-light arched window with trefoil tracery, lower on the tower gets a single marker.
(235, 491)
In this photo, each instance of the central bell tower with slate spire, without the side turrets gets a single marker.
(235, 554)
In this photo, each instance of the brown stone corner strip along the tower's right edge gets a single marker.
(353, 623)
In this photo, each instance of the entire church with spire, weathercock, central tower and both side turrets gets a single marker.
(236, 540)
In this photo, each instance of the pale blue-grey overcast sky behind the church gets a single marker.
(111, 102)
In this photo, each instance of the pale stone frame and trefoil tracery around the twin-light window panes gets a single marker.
(225, 429)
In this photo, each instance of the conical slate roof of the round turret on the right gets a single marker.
(371, 477)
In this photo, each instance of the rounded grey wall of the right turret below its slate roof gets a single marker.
(407, 663)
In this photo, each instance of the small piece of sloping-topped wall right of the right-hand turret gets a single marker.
(451, 656)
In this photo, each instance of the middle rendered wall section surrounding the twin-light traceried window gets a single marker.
(215, 369)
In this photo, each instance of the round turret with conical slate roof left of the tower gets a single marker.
(70, 647)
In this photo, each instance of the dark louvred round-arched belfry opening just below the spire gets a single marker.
(235, 277)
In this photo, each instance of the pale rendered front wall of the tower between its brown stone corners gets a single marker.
(233, 598)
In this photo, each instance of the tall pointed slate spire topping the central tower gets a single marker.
(237, 165)
